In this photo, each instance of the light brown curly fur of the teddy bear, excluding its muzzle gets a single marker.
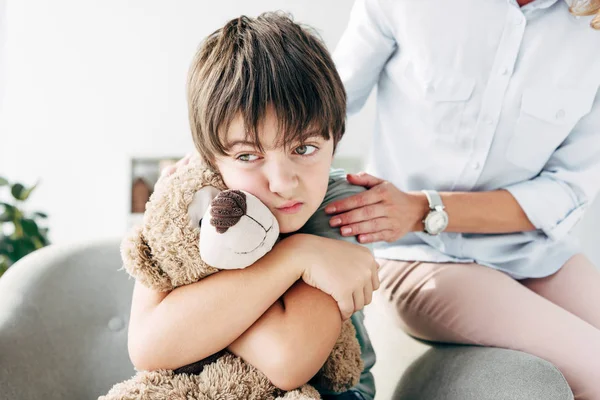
(163, 254)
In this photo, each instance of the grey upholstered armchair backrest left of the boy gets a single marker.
(64, 313)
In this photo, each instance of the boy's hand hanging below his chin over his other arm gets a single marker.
(345, 271)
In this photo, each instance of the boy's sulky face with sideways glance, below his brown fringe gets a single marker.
(292, 182)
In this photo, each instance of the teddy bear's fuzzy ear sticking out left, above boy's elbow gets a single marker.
(138, 261)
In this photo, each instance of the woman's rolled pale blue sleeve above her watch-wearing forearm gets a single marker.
(556, 199)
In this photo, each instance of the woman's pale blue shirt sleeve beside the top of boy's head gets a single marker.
(363, 50)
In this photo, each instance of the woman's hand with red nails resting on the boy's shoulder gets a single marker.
(382, 213)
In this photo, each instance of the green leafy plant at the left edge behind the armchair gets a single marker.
(20, 231)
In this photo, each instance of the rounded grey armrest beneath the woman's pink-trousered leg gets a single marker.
(454, 372)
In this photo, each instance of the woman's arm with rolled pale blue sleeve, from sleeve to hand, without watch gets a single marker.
(553, 201)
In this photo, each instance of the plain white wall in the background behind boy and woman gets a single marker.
(88, 84)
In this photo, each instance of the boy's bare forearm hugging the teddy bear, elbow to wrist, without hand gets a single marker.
(170, 330)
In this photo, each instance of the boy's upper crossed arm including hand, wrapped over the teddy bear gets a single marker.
(194, 321)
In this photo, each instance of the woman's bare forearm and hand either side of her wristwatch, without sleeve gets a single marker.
(384, 213)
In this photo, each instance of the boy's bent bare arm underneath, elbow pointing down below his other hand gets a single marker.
(293, 339)
